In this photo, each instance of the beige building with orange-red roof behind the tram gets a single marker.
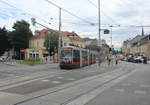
(36, 44)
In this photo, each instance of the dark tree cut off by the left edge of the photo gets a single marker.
(4, 42)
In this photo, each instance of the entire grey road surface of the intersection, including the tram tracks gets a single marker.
(122, 84)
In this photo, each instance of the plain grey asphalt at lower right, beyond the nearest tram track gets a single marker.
(134, 90)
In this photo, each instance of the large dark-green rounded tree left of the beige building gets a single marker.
(20, 36)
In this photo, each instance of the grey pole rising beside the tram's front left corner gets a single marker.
(59, 44)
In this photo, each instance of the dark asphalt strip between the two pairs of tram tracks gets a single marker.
(52, 81)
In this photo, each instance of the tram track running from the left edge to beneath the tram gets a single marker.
(24, 79)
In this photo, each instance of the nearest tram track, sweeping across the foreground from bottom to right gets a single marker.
(102, 79)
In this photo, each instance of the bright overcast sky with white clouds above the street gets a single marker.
(113, 12)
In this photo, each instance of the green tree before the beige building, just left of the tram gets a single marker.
(51, 42)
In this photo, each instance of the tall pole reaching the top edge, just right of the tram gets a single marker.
(99, 29)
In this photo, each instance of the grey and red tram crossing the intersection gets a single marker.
(76, 57)
